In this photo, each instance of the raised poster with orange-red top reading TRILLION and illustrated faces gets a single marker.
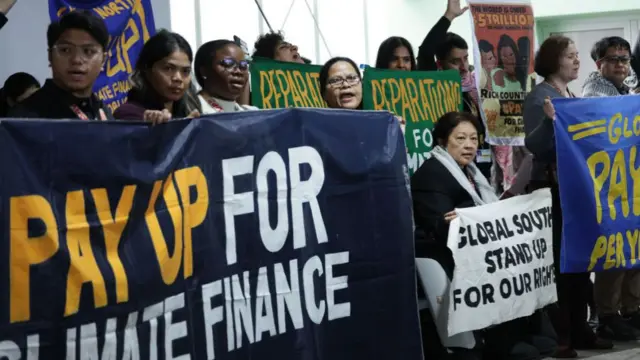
(505, 40)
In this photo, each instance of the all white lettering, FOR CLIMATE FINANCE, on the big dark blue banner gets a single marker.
(287, 295)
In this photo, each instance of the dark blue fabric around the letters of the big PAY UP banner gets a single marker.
(364, 202)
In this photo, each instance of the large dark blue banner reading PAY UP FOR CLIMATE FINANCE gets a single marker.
(284, 234)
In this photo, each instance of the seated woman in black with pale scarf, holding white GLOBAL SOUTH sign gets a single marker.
(450, 180)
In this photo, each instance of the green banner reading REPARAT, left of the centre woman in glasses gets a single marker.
(276, 85)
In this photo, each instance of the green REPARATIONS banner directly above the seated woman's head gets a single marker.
(420, 97)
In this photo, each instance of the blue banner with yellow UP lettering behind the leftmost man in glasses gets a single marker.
(130, 24)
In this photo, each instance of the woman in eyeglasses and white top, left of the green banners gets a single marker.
(223, 72)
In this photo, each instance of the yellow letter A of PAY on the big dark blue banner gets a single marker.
(83, 267)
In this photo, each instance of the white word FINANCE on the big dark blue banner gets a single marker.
(259, 322)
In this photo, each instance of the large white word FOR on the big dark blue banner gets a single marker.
(301, 192)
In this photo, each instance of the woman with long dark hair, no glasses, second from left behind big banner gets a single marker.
(161, 81)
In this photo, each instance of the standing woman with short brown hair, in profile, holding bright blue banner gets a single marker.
(558, 63)
